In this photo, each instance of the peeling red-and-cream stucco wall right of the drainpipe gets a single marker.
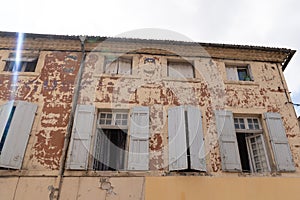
(150, 86)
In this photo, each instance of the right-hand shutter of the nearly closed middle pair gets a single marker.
(195, 138)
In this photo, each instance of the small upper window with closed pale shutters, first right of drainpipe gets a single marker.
(120, 65)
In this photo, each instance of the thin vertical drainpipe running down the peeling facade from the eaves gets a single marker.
(70, 124)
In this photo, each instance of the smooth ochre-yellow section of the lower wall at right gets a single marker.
(258, 188)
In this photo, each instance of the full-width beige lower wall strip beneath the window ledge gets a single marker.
(152, 188)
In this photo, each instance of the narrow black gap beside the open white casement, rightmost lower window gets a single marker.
(242, 145)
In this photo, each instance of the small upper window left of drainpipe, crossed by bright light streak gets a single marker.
(27, 63)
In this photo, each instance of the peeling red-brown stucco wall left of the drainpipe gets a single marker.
(51, 88)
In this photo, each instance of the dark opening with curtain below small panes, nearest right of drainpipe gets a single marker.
(110, 149)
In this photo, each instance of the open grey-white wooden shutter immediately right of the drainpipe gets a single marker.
(81, 137)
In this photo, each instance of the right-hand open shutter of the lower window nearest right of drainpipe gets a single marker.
(138, 158)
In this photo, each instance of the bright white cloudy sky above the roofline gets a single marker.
(272, 23)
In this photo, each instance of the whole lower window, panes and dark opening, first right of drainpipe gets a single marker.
(111, 139)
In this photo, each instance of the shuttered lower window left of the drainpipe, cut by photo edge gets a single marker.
(16, 119)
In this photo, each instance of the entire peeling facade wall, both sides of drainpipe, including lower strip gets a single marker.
(51, 87)
